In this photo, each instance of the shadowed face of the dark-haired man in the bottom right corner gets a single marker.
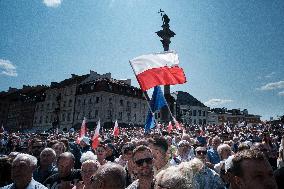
(257, 174)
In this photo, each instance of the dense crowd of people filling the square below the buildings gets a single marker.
(193, 157)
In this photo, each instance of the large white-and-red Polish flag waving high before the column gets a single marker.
(157, 69)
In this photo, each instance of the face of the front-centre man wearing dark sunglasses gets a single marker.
(143, 161)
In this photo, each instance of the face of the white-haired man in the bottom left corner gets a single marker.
(21, 172)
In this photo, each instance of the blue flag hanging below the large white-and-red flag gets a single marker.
(157, 102)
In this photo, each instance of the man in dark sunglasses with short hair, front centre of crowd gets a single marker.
(143, 160)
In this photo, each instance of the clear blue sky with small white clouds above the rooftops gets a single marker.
(232, 51)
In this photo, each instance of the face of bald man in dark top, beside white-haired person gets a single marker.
(65, 166)
